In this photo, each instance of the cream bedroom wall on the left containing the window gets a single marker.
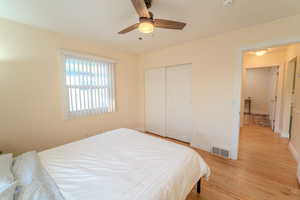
(30, 90)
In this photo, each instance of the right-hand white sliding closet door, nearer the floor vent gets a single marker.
(178, 103)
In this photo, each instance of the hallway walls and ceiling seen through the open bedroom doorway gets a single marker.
(283, 62)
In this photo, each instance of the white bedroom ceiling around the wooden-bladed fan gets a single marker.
(100, 20)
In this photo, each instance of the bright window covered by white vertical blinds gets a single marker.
(89, 85)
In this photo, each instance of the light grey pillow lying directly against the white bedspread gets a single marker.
(33, 181)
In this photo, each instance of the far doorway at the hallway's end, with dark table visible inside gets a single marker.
(260, 96)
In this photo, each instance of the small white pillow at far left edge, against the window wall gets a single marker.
(6, 176)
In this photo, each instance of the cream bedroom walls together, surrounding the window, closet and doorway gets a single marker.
(31, 105)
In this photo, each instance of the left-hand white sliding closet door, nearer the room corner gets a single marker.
(155, 101)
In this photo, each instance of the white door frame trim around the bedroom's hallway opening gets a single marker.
(238, 86)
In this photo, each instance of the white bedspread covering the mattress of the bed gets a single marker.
(124, 165)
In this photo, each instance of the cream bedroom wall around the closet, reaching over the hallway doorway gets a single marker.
(216, 80)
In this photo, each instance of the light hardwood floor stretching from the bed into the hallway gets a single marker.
(265, 170)
